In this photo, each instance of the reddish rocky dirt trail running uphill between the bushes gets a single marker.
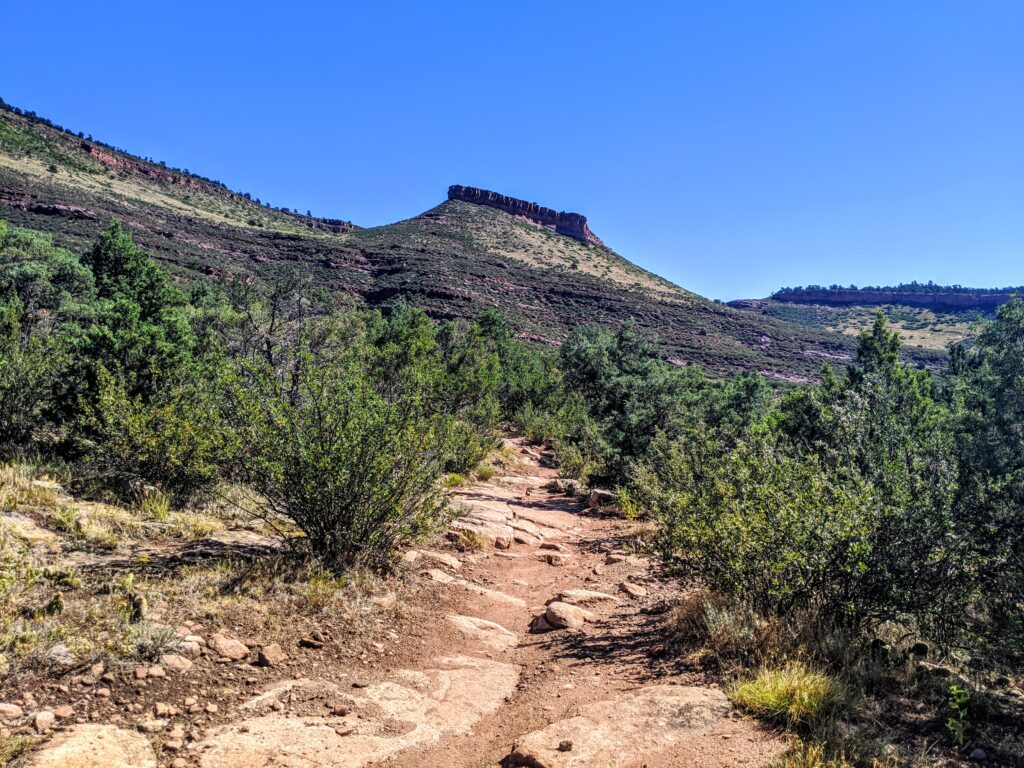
(541, 649)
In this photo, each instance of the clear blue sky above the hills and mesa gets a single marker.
(733, 147)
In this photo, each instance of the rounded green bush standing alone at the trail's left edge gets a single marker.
(356, 472)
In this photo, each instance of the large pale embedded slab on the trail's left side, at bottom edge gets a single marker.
(416, 709)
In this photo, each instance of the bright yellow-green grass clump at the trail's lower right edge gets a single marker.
(796, 696)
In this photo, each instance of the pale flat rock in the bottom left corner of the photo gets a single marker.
(96, 747)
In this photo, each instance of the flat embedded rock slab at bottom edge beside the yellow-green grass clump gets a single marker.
(622, 733)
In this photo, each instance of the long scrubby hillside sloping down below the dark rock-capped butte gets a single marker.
(455, 261)
